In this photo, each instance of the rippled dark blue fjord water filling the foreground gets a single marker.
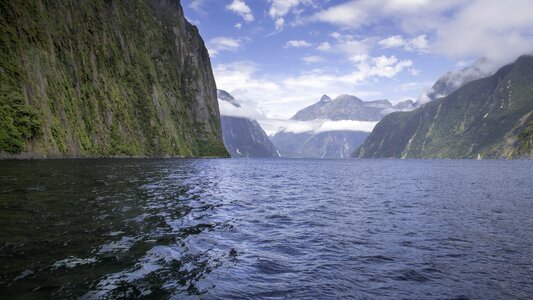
(447, 229)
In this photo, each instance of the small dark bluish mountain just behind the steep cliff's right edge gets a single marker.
(244, 137)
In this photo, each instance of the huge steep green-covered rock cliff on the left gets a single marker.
(104, 78)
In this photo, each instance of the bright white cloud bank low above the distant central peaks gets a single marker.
(282, 96)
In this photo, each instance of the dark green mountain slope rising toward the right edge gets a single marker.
(486, 118)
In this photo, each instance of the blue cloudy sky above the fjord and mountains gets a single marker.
(279, 56)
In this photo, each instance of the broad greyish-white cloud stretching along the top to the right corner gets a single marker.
(458, 29)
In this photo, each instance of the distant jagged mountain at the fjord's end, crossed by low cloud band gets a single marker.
(333, 143)
